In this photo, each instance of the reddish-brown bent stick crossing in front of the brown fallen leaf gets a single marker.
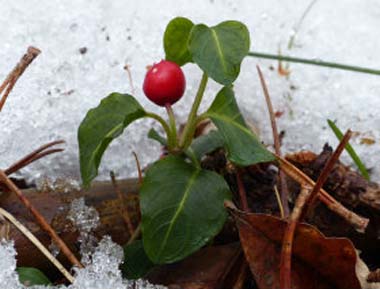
(302, 206)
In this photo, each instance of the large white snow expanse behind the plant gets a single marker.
(53, 96)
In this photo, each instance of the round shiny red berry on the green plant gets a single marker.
(164, 83)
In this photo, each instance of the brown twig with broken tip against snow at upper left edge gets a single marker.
(17, 71)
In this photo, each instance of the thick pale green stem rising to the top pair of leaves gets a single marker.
(189, 128)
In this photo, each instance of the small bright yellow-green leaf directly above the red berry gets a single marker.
(176, 38)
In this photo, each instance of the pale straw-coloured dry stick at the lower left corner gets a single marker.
(37, 243)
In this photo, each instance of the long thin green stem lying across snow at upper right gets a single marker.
(315, 62)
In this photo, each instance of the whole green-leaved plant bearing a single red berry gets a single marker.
(181, 203)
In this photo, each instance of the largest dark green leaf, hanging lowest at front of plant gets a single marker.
(182, 208)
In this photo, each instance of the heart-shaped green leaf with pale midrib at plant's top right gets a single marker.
(219, 50)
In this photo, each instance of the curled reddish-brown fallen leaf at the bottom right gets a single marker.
(318, 262)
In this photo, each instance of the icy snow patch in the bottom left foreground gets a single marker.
(101, 259)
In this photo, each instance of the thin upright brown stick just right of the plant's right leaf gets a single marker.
(277, 146)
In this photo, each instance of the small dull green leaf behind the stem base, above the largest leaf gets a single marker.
(206, 144)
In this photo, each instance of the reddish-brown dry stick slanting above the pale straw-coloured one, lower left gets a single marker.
(40, 219)
